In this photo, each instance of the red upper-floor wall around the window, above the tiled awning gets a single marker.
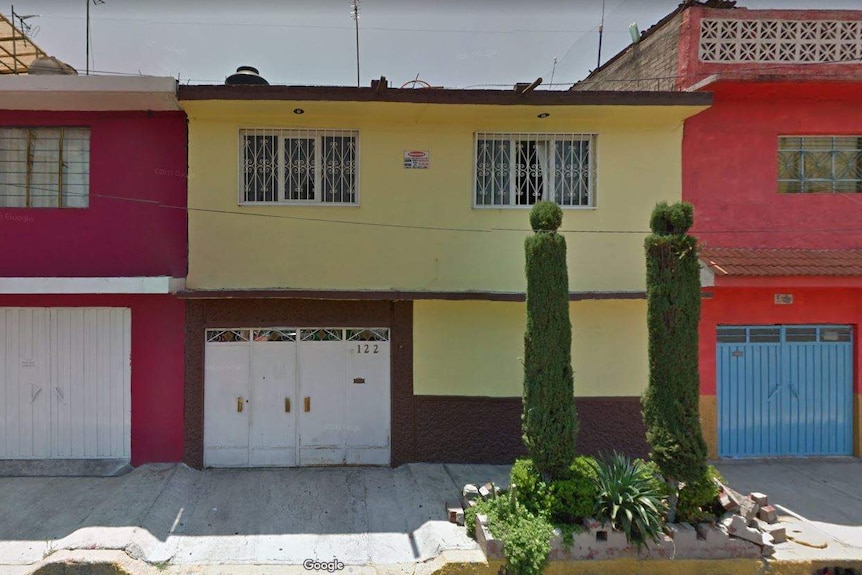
(730, 167)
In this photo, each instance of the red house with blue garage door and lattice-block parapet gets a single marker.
(774, 170)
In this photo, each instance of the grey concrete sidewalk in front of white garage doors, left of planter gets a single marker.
(171, 514)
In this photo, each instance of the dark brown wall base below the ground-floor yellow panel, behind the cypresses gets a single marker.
(488, 430)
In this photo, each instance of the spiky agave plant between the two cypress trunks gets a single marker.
(629, 500)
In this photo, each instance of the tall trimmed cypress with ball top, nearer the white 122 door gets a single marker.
(549, 418)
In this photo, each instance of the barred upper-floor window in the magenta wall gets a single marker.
(65, 198)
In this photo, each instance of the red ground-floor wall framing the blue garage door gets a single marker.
(755, 306)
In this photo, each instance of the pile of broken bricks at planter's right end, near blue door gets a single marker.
(751, 518)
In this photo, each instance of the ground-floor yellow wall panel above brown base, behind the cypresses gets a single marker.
(475, 348)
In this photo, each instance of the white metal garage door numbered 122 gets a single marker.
(287, 396)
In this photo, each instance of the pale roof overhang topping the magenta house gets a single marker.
(88, 93)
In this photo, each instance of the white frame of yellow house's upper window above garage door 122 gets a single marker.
(298, 133)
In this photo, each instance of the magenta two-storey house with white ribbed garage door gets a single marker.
(93, 228)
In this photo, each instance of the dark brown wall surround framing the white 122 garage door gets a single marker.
(398, 316)
